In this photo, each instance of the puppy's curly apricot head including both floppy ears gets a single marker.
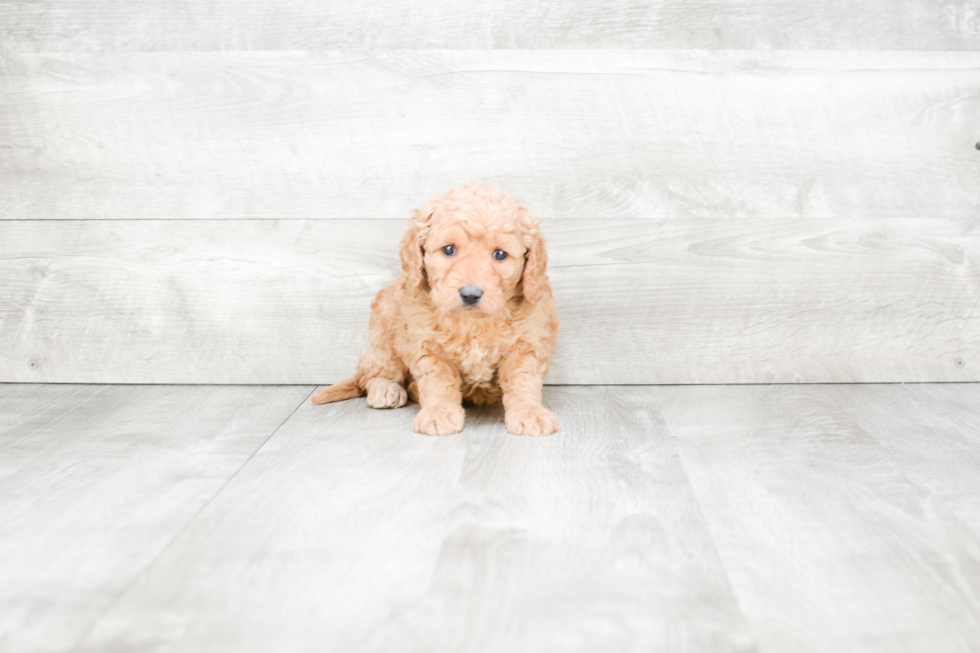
(473, 249)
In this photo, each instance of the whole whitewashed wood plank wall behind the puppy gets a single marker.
(766, 191)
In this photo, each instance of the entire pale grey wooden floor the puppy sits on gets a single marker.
(687, 518)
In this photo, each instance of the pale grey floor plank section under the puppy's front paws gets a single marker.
(381, 539)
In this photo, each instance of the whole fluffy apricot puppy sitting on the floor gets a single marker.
(471, 317)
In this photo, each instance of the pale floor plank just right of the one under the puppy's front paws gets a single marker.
(826, 542)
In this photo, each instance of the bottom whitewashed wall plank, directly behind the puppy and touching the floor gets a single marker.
(642, 301)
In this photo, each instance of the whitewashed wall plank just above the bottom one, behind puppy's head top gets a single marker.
(576, 134)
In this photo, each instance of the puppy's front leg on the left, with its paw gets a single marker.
(438, 385)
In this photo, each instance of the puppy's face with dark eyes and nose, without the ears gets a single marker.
(477, 268)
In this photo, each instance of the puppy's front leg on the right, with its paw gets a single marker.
(521, 376)
